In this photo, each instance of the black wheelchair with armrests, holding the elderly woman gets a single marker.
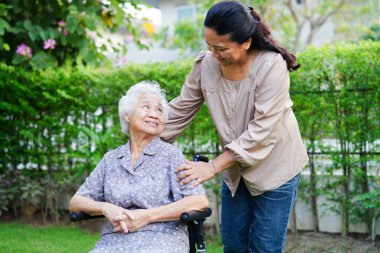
(194, 220)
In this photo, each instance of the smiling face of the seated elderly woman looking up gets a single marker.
(147, 117)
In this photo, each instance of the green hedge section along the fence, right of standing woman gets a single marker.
(336, 96)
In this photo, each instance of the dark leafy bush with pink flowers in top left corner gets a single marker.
(78, 29)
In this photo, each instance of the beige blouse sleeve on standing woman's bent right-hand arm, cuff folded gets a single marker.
(271, 100)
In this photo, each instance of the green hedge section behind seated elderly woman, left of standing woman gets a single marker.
(57, 124)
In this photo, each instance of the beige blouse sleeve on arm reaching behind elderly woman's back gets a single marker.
(184, 107)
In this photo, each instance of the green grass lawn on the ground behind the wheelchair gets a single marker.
(22, 238)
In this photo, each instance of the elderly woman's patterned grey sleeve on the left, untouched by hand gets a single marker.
(93, 187)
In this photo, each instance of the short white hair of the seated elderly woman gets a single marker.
(128, 102)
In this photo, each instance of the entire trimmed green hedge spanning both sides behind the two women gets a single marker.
(56, 124)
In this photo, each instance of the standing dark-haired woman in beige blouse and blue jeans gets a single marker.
(244, 80)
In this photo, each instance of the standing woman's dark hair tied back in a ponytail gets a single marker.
(241, 23)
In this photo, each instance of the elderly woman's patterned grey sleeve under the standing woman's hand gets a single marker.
(180, 191)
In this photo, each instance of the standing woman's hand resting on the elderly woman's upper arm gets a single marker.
(197, 171)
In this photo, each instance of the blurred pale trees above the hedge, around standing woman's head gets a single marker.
(296, 24)
